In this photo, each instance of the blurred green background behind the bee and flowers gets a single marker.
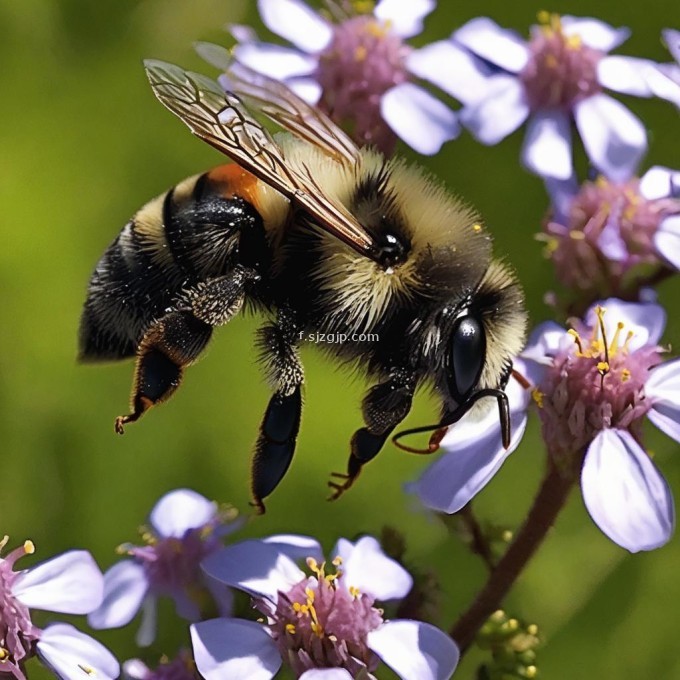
(83, 144)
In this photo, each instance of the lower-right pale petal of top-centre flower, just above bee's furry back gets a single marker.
(420, 119)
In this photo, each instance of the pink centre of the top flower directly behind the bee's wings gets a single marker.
(363, 60)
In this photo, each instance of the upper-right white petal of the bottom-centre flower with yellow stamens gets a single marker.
(366, 567)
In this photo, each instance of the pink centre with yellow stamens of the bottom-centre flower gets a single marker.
(320, 623)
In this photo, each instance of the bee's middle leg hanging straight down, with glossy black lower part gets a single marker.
(278, 432)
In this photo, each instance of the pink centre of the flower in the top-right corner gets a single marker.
(561, 70)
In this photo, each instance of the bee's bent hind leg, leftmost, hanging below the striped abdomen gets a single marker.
(176, 340)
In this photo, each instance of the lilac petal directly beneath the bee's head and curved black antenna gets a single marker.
(474, 453)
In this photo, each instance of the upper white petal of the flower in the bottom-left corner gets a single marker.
(70, 583)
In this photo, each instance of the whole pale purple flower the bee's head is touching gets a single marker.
(592, 386)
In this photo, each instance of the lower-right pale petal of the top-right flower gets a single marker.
(615, 139)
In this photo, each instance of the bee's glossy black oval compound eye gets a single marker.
(467, 352)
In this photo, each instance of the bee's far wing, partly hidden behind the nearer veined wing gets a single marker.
(280, 104)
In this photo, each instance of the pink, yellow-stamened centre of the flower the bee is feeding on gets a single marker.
(596, 384)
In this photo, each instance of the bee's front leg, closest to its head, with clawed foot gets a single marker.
(384, 407)
